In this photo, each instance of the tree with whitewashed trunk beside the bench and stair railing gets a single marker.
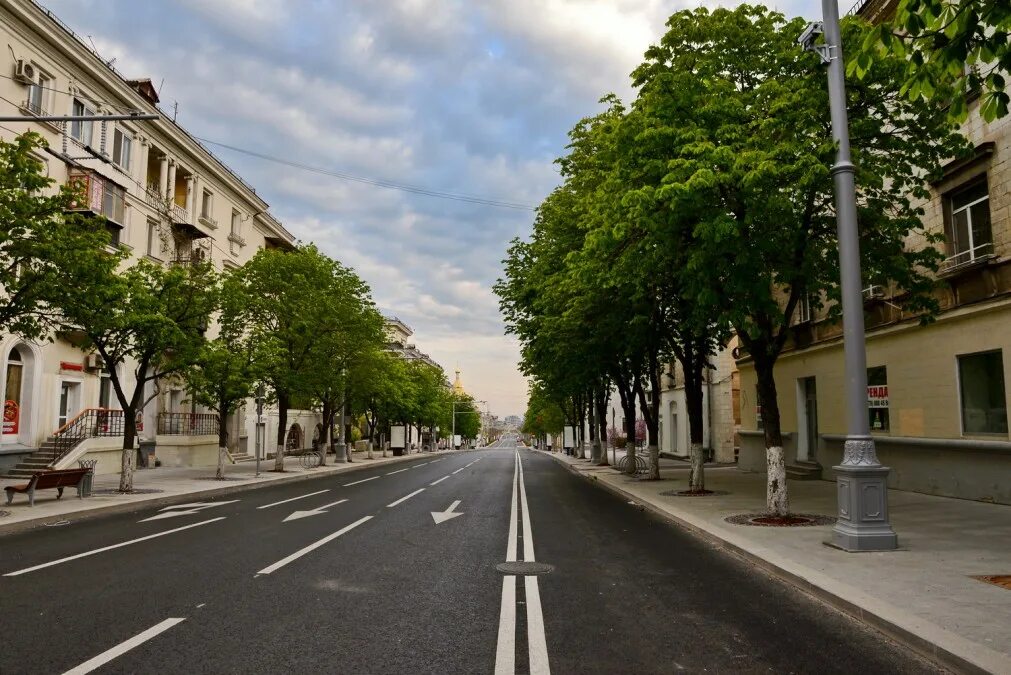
(147, 319)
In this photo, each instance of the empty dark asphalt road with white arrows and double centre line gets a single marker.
(353, 574)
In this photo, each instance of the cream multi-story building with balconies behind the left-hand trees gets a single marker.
(165, 198)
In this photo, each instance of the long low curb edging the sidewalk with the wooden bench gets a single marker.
(168, 501)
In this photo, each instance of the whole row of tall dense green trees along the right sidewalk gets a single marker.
(704, 209)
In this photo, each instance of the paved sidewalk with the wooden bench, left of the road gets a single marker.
(167, 487)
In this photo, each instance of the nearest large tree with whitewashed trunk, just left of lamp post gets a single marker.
(751, 150)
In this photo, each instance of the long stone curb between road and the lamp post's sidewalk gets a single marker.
(925, 648)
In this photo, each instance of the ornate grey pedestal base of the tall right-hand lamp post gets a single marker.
(863, 523)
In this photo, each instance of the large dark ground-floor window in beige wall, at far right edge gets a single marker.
(981, 384)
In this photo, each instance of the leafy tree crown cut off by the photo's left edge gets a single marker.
(40, 237)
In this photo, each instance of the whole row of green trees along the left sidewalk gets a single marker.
(299, 325)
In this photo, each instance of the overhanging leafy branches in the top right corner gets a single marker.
(953, 50)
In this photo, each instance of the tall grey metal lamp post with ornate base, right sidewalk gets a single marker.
(862, 483)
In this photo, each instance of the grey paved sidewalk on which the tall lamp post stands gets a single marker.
(924, 596)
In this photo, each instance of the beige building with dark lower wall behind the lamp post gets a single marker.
(938, 395)
